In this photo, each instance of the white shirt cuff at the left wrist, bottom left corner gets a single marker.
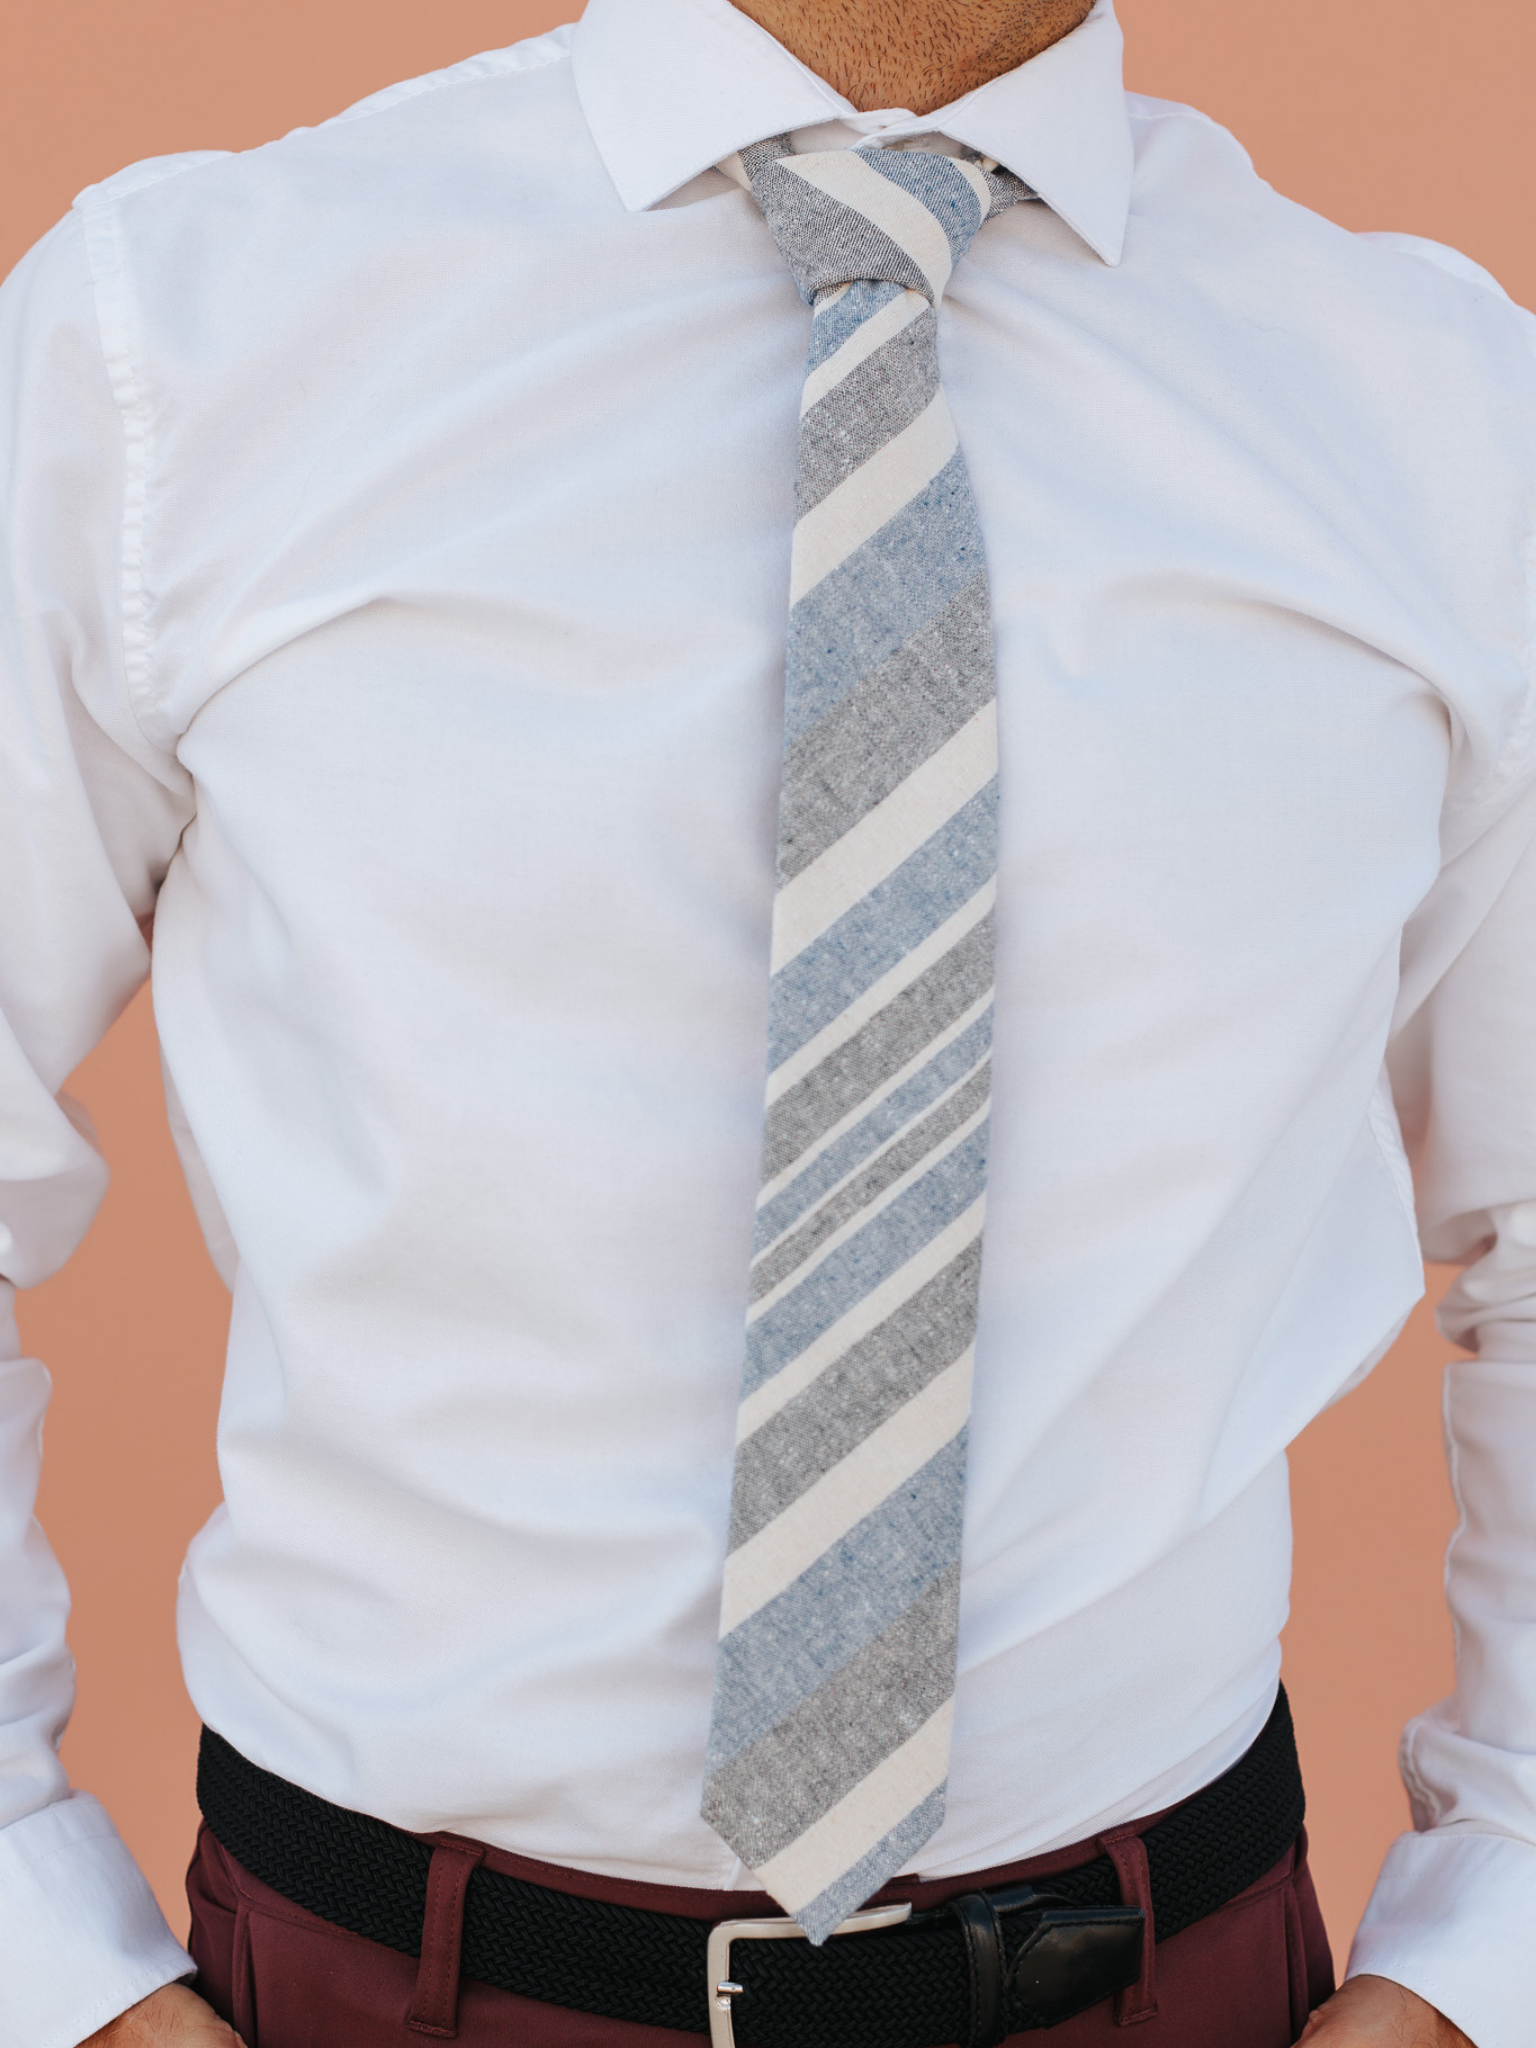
(81, 1932)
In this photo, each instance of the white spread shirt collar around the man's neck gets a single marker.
(671, 87)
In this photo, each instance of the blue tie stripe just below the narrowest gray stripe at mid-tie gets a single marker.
(869, 1256)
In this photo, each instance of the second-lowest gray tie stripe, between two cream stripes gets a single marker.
(857, 1396)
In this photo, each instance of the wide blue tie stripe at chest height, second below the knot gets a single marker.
(876, 601)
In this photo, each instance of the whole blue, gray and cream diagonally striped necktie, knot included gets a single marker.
(837, 1666)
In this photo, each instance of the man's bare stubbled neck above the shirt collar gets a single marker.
(919, 54)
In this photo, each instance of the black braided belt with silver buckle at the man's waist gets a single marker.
(964, 1973)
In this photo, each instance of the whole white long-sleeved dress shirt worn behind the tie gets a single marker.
(394, 558)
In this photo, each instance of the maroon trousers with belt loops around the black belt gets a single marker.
(1246, 1977)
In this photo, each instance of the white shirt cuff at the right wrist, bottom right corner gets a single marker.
(1453, 1920)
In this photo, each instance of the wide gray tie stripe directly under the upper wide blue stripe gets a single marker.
(884, 728)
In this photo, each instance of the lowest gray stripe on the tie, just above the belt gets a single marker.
(814, 1758)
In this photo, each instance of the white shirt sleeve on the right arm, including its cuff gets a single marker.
(1457, 1902)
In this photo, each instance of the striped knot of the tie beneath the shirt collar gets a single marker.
(894, 216)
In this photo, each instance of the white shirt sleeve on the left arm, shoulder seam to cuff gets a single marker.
(91, 816)
